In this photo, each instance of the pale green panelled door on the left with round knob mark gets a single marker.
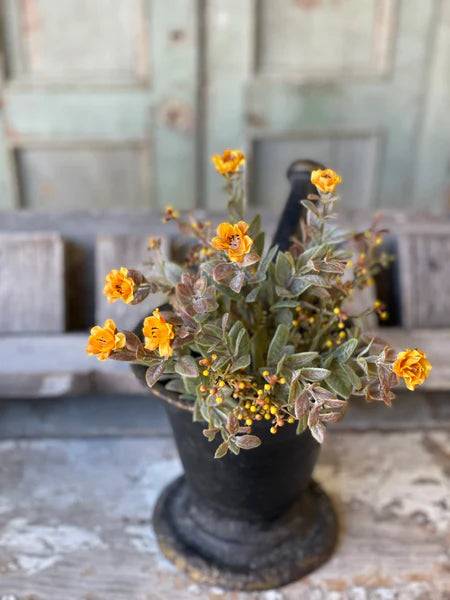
(99, 104)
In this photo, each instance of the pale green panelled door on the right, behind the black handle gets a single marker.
(363, 87)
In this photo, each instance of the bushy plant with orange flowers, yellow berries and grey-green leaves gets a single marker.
(254, 334)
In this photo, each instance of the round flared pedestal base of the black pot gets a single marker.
(243, 555)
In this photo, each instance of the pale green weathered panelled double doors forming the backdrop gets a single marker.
(120, 103)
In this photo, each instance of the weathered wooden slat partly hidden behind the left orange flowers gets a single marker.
(113, 252)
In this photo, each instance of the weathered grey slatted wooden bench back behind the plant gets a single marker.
(52, 283)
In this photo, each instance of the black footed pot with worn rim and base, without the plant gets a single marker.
(247, 522)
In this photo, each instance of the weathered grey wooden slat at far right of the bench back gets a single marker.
(424, 263)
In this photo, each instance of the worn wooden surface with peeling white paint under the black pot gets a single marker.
(81, 527)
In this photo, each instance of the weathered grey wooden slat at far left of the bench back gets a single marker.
(32, 288)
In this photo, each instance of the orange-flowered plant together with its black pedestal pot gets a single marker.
(255, 352)
